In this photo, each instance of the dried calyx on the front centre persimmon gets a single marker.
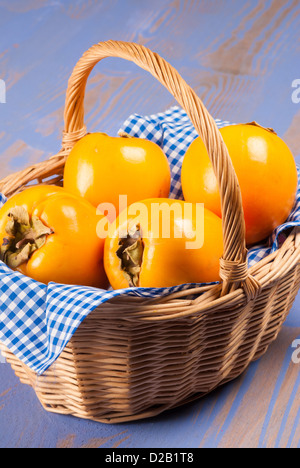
(130, 253)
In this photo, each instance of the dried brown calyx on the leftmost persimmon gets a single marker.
(25, 236)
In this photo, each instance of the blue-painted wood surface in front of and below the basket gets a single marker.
(260, 409)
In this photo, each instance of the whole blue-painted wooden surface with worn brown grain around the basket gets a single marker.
(242, 58)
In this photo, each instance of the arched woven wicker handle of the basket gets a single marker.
(233, 265)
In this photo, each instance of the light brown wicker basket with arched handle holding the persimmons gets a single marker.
(134, 358)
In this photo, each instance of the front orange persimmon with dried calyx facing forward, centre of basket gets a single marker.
(162, 243)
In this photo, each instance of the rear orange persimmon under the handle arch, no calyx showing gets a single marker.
(100, 168)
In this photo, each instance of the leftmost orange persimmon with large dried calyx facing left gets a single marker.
(50, 235)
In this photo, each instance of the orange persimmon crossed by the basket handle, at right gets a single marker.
(266, 171)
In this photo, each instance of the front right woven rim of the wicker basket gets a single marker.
(269, 270)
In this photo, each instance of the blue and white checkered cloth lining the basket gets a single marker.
(38, 320)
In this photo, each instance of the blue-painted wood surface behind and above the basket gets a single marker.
(242, 66)
